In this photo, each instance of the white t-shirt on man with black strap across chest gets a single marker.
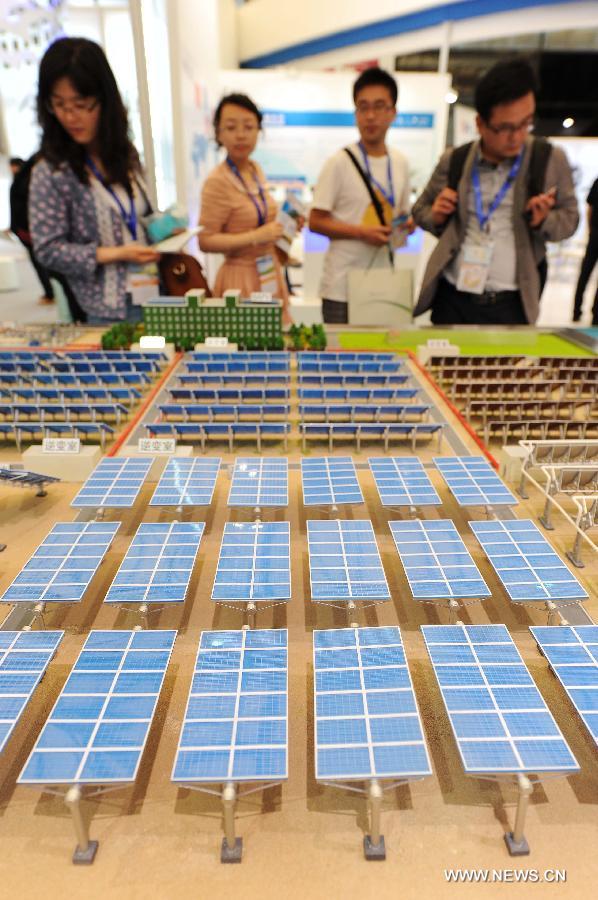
(341, 191)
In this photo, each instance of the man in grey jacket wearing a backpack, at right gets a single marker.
(492, 205)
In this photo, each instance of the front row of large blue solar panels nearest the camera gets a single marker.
(235, 728)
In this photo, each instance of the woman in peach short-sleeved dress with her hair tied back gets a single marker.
(238, 214)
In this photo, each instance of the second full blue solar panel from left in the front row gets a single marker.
(235, 726)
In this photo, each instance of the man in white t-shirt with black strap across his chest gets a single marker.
(360, 229)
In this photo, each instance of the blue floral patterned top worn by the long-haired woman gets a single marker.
(68, 221)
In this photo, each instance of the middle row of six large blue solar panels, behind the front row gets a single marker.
(254, 562)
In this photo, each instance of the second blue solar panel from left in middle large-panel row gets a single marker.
(158, 564)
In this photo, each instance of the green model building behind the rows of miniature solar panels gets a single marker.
(254, 324)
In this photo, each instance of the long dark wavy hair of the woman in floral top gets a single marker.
(84, 63)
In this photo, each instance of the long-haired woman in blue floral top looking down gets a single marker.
(87, 196)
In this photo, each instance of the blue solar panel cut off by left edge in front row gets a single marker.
(24, 658)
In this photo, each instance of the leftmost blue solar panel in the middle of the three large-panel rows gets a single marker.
(63, 565)
